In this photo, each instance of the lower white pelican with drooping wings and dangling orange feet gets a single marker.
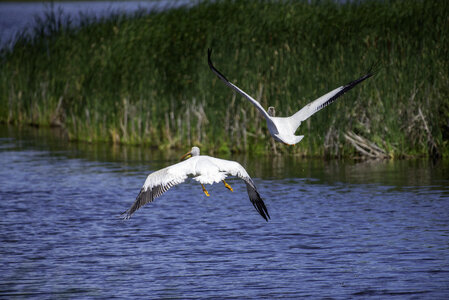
(204, 169)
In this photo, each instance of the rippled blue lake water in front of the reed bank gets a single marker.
(338, 230)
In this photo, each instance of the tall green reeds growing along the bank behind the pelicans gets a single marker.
(144, 79)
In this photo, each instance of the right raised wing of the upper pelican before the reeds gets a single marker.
(324, 101)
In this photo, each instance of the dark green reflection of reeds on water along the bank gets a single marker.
(417, 172)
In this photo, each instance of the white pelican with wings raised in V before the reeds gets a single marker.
(283, 129)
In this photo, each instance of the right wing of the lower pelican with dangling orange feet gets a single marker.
(233, 168)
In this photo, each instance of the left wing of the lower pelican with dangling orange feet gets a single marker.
(158, 183)
